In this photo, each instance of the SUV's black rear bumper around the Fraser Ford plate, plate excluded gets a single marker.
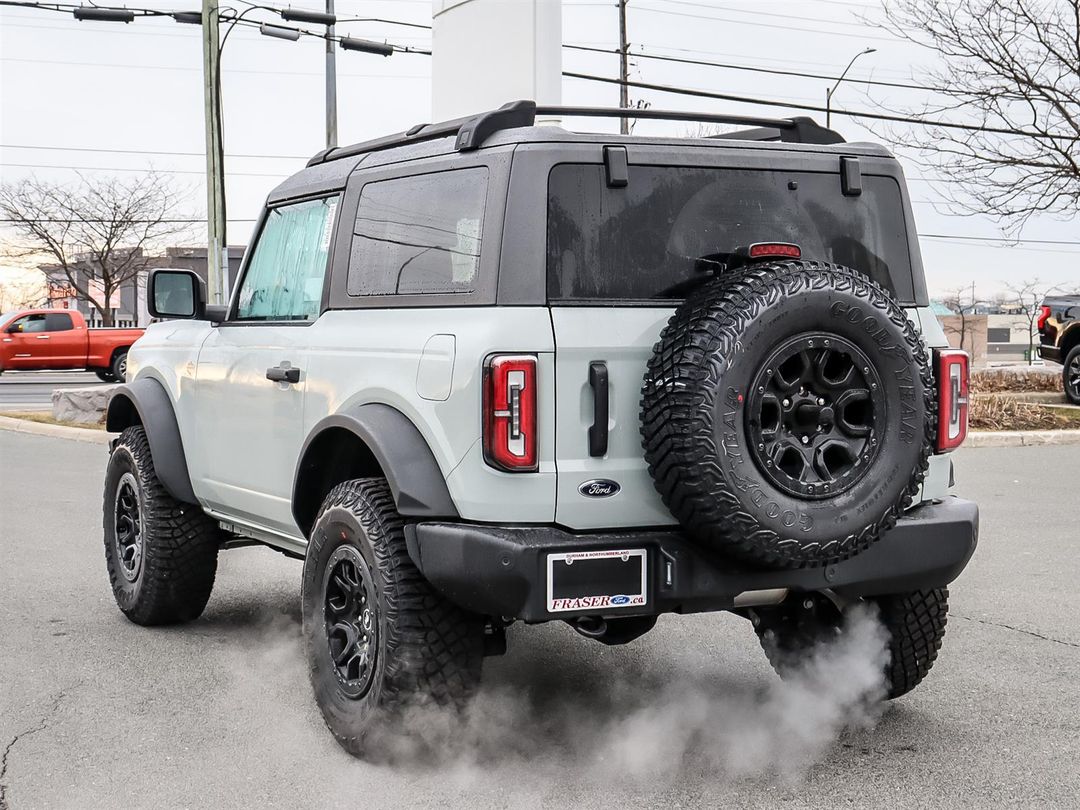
(501, 571)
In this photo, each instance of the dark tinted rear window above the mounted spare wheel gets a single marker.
(637, 244)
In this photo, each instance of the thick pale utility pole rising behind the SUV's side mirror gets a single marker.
(218, 253)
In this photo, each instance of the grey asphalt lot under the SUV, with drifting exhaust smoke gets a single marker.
(97, 712)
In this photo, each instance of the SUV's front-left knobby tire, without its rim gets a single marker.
(180, 543)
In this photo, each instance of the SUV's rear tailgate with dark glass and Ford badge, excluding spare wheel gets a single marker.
(616, 259)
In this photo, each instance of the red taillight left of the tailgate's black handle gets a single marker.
(510, 412)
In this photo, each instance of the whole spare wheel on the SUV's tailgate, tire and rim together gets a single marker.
(788, 414)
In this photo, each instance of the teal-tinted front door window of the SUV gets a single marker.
(285, 279)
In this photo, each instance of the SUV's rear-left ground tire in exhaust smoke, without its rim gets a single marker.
(429, 652)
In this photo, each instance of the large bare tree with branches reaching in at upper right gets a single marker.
(1010, 66)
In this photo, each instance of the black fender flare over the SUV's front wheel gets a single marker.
(146, 402)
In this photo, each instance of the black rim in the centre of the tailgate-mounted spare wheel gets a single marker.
(815, 416)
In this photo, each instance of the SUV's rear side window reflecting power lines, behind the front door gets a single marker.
(420, 235)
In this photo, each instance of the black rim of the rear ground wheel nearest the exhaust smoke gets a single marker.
(353, 620)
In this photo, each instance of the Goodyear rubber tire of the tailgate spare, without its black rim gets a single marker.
(695, 412)
